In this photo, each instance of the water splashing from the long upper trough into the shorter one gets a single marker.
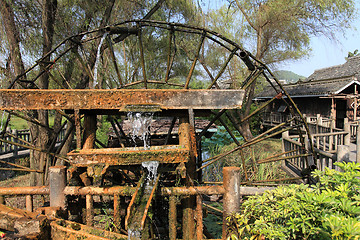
(140, 123)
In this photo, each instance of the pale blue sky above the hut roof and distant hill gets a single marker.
(325, 53)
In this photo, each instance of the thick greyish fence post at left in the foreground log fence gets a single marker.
(57, 185)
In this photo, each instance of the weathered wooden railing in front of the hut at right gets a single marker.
(329, 143)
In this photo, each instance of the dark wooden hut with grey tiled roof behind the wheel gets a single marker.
(331, 92)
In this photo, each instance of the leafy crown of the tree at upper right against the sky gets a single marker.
(281, 30)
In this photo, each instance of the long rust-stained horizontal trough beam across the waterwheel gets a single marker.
(119, 99)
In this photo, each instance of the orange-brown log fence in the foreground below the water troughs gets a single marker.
(57, 191)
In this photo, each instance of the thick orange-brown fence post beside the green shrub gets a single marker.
(232, 197)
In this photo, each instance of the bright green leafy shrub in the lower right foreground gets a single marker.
(329, 210)
